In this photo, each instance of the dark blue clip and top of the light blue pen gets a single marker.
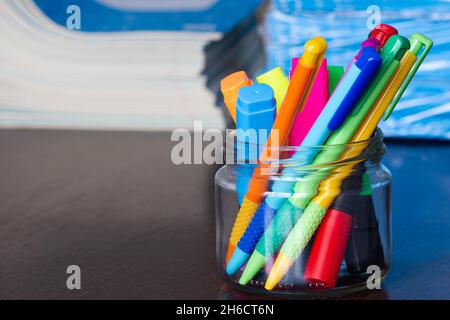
(368, 62)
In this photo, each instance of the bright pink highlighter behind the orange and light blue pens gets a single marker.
(317, 100)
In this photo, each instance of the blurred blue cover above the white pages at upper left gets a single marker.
(156, 15)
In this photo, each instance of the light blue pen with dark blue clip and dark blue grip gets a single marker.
(332, 116)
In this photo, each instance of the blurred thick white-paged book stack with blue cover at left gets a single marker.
(132, 65)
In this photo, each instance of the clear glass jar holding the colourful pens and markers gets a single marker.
(310, 221)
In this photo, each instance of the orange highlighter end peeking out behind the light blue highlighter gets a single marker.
(230, 86)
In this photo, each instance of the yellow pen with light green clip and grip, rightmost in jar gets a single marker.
(330, 187)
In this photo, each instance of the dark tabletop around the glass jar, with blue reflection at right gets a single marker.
(141, 227)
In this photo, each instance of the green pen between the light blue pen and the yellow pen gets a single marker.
(306, 189)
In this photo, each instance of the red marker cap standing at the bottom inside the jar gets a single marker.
(328, 249)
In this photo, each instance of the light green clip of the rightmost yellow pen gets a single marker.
(418, 42)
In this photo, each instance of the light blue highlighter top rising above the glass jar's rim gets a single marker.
(255, 108)
